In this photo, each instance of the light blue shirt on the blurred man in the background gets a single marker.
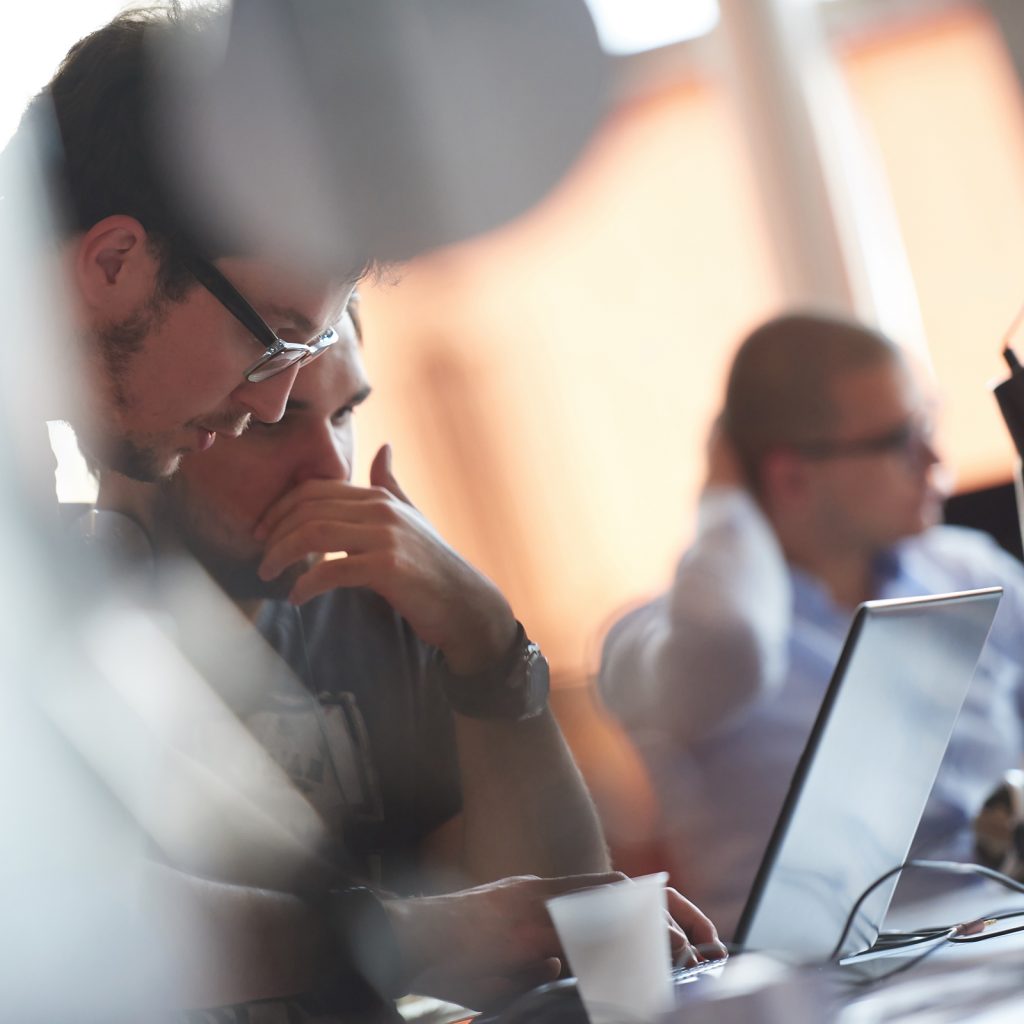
(720, 680)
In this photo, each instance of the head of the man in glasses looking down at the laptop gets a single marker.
(181, 337)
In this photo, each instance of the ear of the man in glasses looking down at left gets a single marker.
(113, 268)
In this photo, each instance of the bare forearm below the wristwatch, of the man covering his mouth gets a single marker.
(526, 807)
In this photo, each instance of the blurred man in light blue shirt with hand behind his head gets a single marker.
(822, 493)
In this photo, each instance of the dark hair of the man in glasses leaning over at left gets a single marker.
(103, 100)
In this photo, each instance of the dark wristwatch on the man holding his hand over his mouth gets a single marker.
(514, 690)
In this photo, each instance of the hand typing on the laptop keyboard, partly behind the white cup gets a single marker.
(482, 948)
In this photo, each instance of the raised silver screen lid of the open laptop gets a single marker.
(862, 785)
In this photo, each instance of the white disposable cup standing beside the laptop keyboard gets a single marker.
(617, 942)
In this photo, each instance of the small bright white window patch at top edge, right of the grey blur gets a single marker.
(632, 26)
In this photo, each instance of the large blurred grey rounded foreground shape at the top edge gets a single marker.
(344, 132)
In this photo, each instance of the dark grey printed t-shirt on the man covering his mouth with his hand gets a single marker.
(375, 754)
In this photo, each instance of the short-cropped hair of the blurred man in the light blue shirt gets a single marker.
(780, 388)
